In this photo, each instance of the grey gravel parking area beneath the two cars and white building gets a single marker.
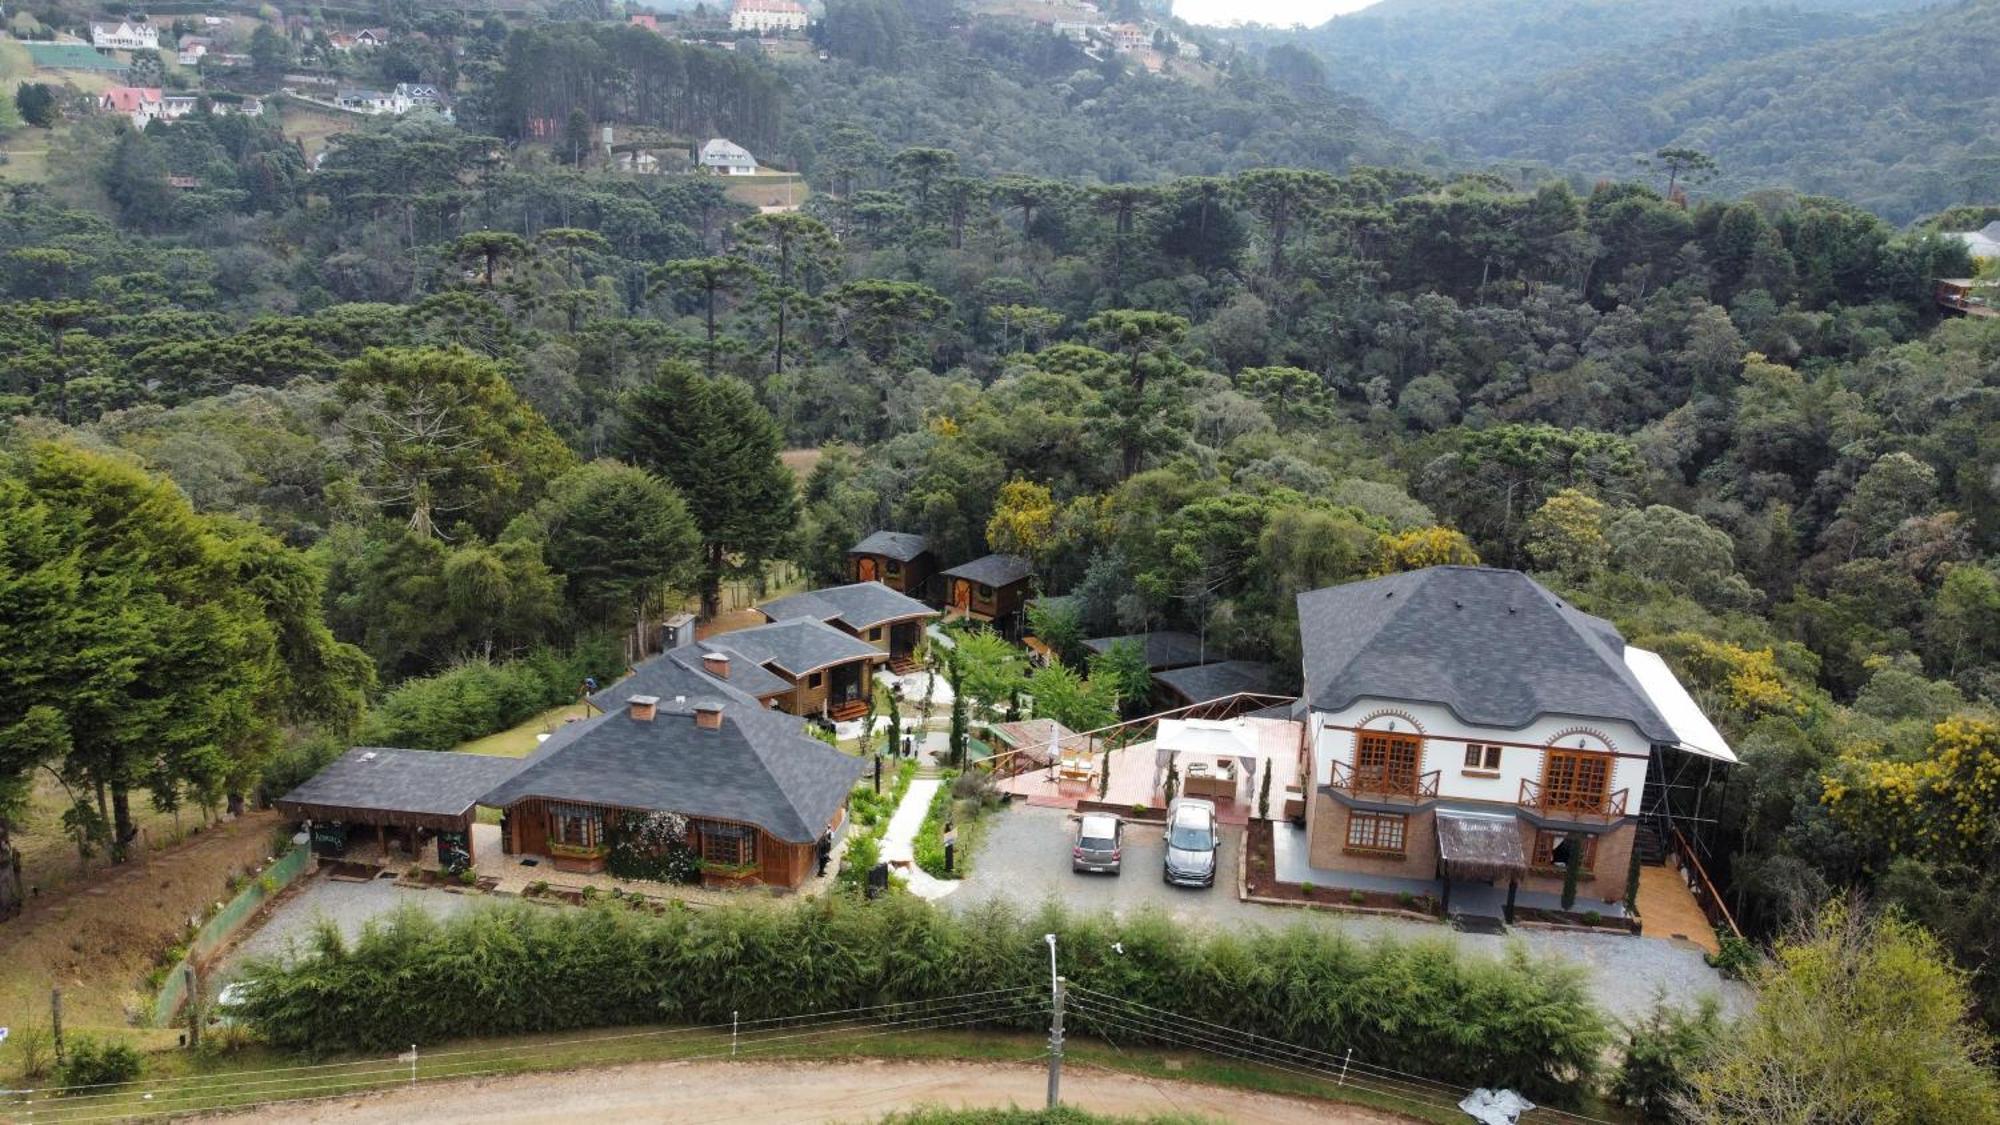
(1025, 856)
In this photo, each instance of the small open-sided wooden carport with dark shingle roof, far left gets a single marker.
(411, 796)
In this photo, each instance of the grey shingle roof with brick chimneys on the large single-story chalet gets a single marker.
(757, 770)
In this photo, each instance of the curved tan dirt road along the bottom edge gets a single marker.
(803, 1094)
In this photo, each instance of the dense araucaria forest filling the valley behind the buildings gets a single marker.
(451, 399)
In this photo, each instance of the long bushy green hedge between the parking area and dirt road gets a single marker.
(1421, 1008)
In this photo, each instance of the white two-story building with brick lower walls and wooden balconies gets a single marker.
(1463, 724)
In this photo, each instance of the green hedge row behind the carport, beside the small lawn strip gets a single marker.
(481, 698)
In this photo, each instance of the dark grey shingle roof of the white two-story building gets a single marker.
(1491, 646)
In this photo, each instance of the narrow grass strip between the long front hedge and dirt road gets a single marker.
(183, 1082)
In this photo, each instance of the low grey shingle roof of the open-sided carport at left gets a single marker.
(427, 784)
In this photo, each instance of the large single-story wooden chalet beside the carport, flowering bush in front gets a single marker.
(759, 796)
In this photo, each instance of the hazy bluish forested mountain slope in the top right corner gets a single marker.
(1883, 103)
